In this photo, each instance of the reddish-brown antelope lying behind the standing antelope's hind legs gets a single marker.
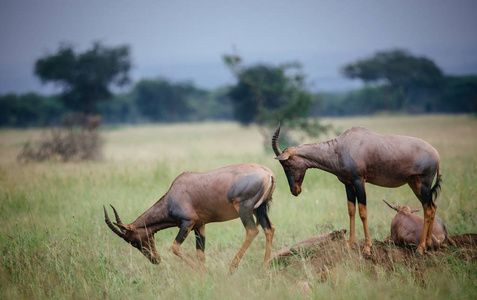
(406, 227)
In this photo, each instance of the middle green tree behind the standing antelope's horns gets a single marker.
(265, 95)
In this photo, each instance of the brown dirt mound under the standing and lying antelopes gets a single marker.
(331, 250)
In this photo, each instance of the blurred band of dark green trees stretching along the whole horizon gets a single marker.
(263, 94)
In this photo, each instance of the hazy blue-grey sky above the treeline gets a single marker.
(184, 40)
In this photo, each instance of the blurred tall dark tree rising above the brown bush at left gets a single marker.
(85, 77)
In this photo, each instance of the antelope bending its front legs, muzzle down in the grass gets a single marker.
(195, 199)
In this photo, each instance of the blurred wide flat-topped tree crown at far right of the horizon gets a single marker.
(400, 74)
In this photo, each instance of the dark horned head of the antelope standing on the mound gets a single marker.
(292, 164)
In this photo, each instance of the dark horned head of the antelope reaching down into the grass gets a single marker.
(139, 238)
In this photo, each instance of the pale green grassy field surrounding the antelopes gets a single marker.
(54, 242)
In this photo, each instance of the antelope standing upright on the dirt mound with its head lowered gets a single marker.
(360, 155)
